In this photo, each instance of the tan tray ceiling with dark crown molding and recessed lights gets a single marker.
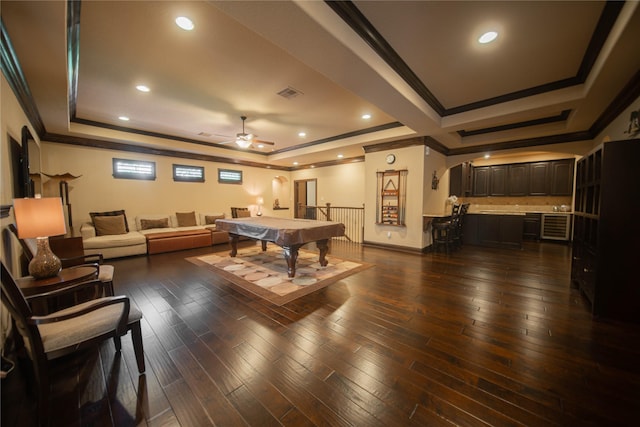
(422, 73)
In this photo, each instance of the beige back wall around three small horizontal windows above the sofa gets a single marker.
(97, 190)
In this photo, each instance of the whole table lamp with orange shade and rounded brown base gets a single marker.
(40, 218)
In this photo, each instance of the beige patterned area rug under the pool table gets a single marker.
(265, 273)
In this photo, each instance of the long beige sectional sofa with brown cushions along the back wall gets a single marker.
(110, 234)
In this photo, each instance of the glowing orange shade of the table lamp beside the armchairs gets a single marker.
(39, 217)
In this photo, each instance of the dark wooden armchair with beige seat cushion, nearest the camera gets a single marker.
(68, 330)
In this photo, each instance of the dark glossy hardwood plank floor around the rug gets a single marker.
(479, 337)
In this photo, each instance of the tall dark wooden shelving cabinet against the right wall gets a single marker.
(606, 240)
